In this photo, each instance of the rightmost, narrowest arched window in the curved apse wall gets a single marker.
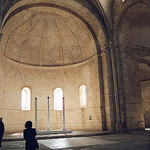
(83, 96)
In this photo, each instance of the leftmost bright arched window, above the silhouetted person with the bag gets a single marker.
(25, 98)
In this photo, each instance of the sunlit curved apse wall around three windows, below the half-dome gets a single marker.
(43, 81)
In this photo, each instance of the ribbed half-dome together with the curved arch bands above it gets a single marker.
(51, 33)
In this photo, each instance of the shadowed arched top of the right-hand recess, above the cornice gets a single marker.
(134, 18)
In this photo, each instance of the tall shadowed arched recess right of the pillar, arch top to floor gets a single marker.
(132, 44)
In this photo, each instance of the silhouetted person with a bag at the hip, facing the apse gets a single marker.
(29, 135)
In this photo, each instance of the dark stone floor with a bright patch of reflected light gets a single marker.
(137, 140)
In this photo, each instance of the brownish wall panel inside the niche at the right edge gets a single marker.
(145, 88)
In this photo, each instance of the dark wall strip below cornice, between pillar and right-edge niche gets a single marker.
(133, 99)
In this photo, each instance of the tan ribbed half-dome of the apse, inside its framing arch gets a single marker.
(47, 36)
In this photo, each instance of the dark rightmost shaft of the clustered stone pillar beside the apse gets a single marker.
(119, 88)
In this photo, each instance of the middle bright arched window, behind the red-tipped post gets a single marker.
(58, 95)
